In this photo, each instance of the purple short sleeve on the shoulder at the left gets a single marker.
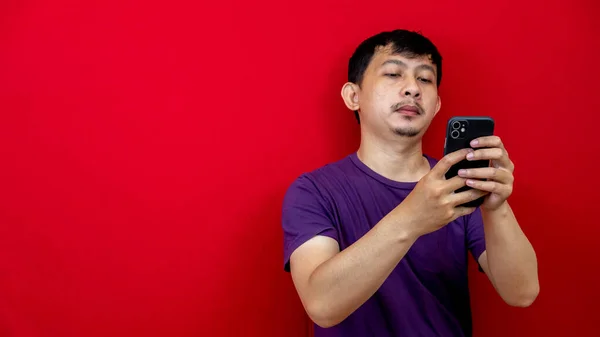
(305, 214)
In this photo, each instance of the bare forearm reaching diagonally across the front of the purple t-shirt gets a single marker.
(343, 283)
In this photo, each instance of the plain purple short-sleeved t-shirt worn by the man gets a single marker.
(427, 293)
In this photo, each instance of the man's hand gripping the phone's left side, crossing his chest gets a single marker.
(433, 203)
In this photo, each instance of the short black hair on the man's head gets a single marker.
(407, 43)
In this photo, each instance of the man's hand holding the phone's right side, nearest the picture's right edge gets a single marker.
(499, 175)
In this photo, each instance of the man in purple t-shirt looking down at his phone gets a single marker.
(376, 243)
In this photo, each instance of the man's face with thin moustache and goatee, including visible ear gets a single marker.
(398, 95)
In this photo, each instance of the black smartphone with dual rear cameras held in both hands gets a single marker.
(460, 131)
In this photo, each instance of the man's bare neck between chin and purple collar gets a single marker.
(400, 159)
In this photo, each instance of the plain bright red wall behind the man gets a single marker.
(145, 148)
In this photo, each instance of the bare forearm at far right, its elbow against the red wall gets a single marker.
(511, 258)
